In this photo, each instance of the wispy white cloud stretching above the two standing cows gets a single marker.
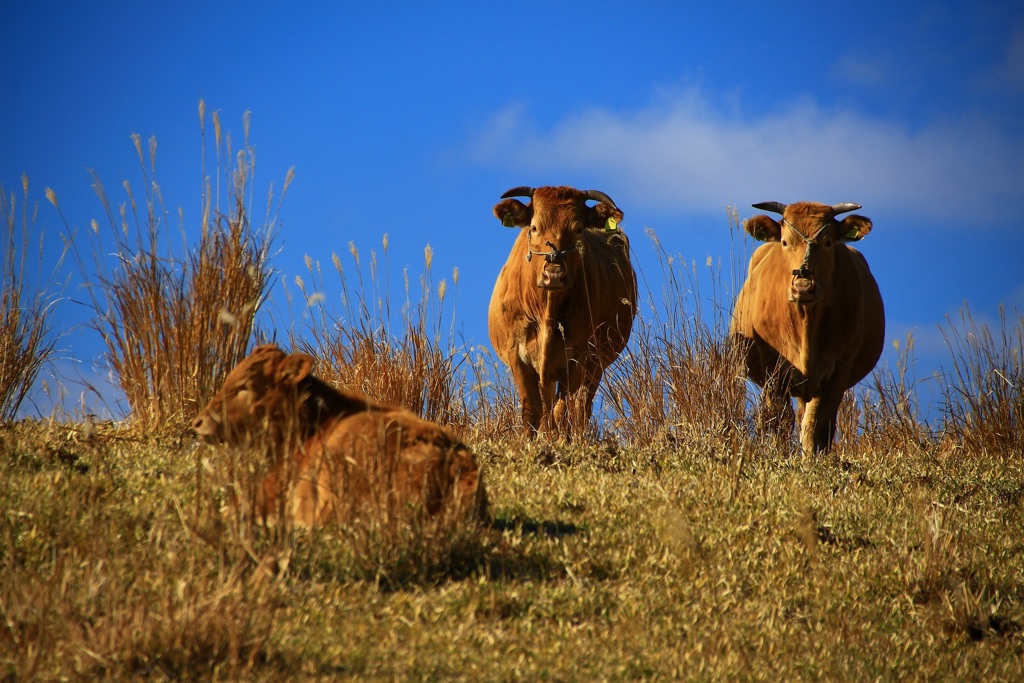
(688, 155)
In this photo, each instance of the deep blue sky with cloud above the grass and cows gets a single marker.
(411, 119)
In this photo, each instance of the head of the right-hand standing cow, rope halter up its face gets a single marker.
(807, 237)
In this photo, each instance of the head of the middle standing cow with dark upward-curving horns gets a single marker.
(557, 219)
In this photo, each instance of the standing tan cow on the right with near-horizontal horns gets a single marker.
(809, 315)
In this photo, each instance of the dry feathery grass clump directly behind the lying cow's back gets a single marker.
(409, 356)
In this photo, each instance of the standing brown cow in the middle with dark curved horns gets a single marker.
(564, 306)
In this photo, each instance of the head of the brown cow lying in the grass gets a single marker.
(258, 398)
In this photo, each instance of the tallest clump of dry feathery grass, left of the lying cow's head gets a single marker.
(175, 325)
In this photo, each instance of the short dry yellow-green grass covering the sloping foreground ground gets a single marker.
(673, 561)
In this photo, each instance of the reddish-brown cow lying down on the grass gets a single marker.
(337, 455)
